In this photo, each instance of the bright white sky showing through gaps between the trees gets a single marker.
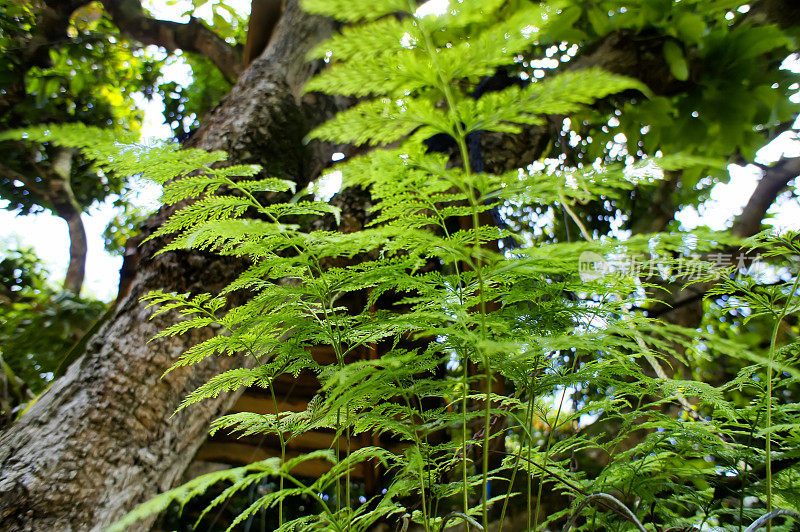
(48, 235)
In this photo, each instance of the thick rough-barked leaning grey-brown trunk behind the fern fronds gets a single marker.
(103, 438)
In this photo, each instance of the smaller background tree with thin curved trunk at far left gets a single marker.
(87, 78)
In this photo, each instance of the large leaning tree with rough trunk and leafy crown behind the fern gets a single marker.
(103, 433)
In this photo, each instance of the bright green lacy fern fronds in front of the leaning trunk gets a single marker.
(469, 334)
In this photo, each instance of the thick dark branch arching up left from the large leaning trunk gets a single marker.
(193, 36)
